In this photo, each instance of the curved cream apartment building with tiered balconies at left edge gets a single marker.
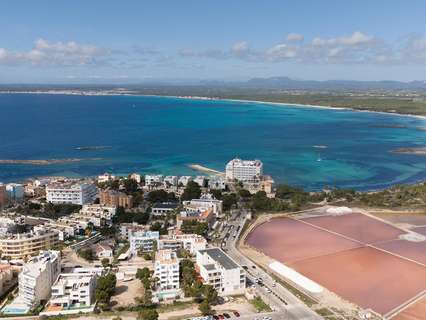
(22, 245)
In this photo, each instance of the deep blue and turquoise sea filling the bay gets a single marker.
(164, 135)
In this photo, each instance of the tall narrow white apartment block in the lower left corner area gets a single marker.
(37, 277)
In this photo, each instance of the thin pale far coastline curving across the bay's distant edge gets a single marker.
(204, 98)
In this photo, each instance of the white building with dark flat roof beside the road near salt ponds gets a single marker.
(219, 270)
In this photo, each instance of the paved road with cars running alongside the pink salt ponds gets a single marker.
(282, 301)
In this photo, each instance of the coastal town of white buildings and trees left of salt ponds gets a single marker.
(148, 243)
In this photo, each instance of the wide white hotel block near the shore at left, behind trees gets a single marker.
(72, 193)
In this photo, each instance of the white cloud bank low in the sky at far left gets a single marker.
(54, 53)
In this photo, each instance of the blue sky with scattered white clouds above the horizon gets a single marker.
(127, 41)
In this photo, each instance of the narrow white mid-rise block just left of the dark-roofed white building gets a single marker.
(166, 269)
